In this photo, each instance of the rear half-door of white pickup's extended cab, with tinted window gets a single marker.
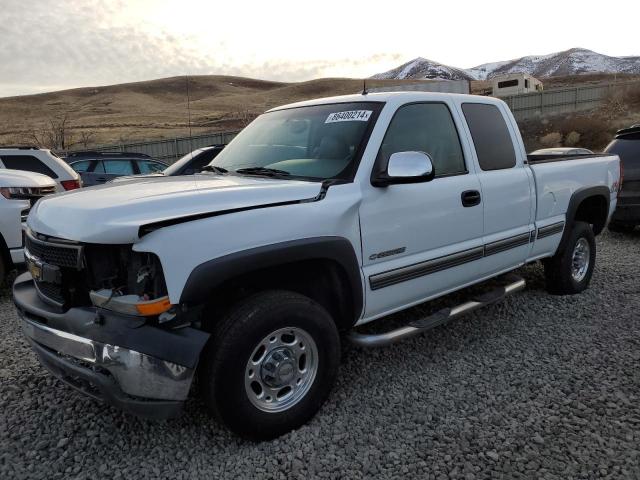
(507, 187)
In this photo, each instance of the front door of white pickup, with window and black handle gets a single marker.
(421, 240)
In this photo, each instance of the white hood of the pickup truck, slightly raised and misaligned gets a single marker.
(113, 213)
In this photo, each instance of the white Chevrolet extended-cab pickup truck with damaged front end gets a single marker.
(319, 217)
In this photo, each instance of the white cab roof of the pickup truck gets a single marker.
(397, 98)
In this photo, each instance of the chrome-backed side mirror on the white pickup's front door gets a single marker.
(406, 167)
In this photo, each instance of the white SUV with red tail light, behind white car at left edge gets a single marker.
(40, 160)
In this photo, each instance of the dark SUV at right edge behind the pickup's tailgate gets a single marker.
(626, 145)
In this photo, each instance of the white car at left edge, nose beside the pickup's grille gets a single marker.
(19, 191)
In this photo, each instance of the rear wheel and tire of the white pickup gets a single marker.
(569, 271)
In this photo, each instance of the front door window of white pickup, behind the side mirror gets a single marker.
(425, 127)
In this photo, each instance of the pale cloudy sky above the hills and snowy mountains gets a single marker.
(50, 45)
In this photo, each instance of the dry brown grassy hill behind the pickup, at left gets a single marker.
(155, 109)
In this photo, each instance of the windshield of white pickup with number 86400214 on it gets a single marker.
(318, 142)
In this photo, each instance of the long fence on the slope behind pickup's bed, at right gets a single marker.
(562, 100)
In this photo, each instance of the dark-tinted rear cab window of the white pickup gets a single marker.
(491, 137)
